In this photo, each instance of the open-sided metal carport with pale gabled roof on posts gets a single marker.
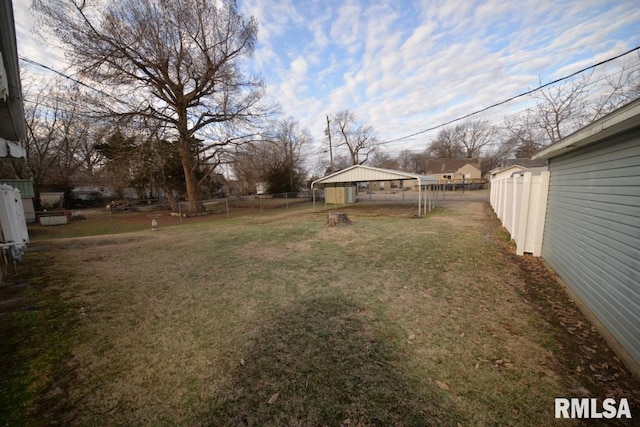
(351, 176)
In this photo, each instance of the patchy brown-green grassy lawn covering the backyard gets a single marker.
(280, 320)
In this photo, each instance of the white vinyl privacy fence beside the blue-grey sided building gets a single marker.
(520, 202)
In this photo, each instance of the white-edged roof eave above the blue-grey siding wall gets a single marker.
(621, 120)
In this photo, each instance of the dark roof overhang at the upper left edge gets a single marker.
(12, 123)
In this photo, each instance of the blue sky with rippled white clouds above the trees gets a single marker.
(408, 65)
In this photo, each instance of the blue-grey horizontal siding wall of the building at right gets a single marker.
(592, 231)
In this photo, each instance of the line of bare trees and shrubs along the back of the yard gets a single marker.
(171, 104)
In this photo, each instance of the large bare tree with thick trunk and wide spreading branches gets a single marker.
(176, 62)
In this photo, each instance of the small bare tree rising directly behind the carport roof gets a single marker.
(359, 139)
